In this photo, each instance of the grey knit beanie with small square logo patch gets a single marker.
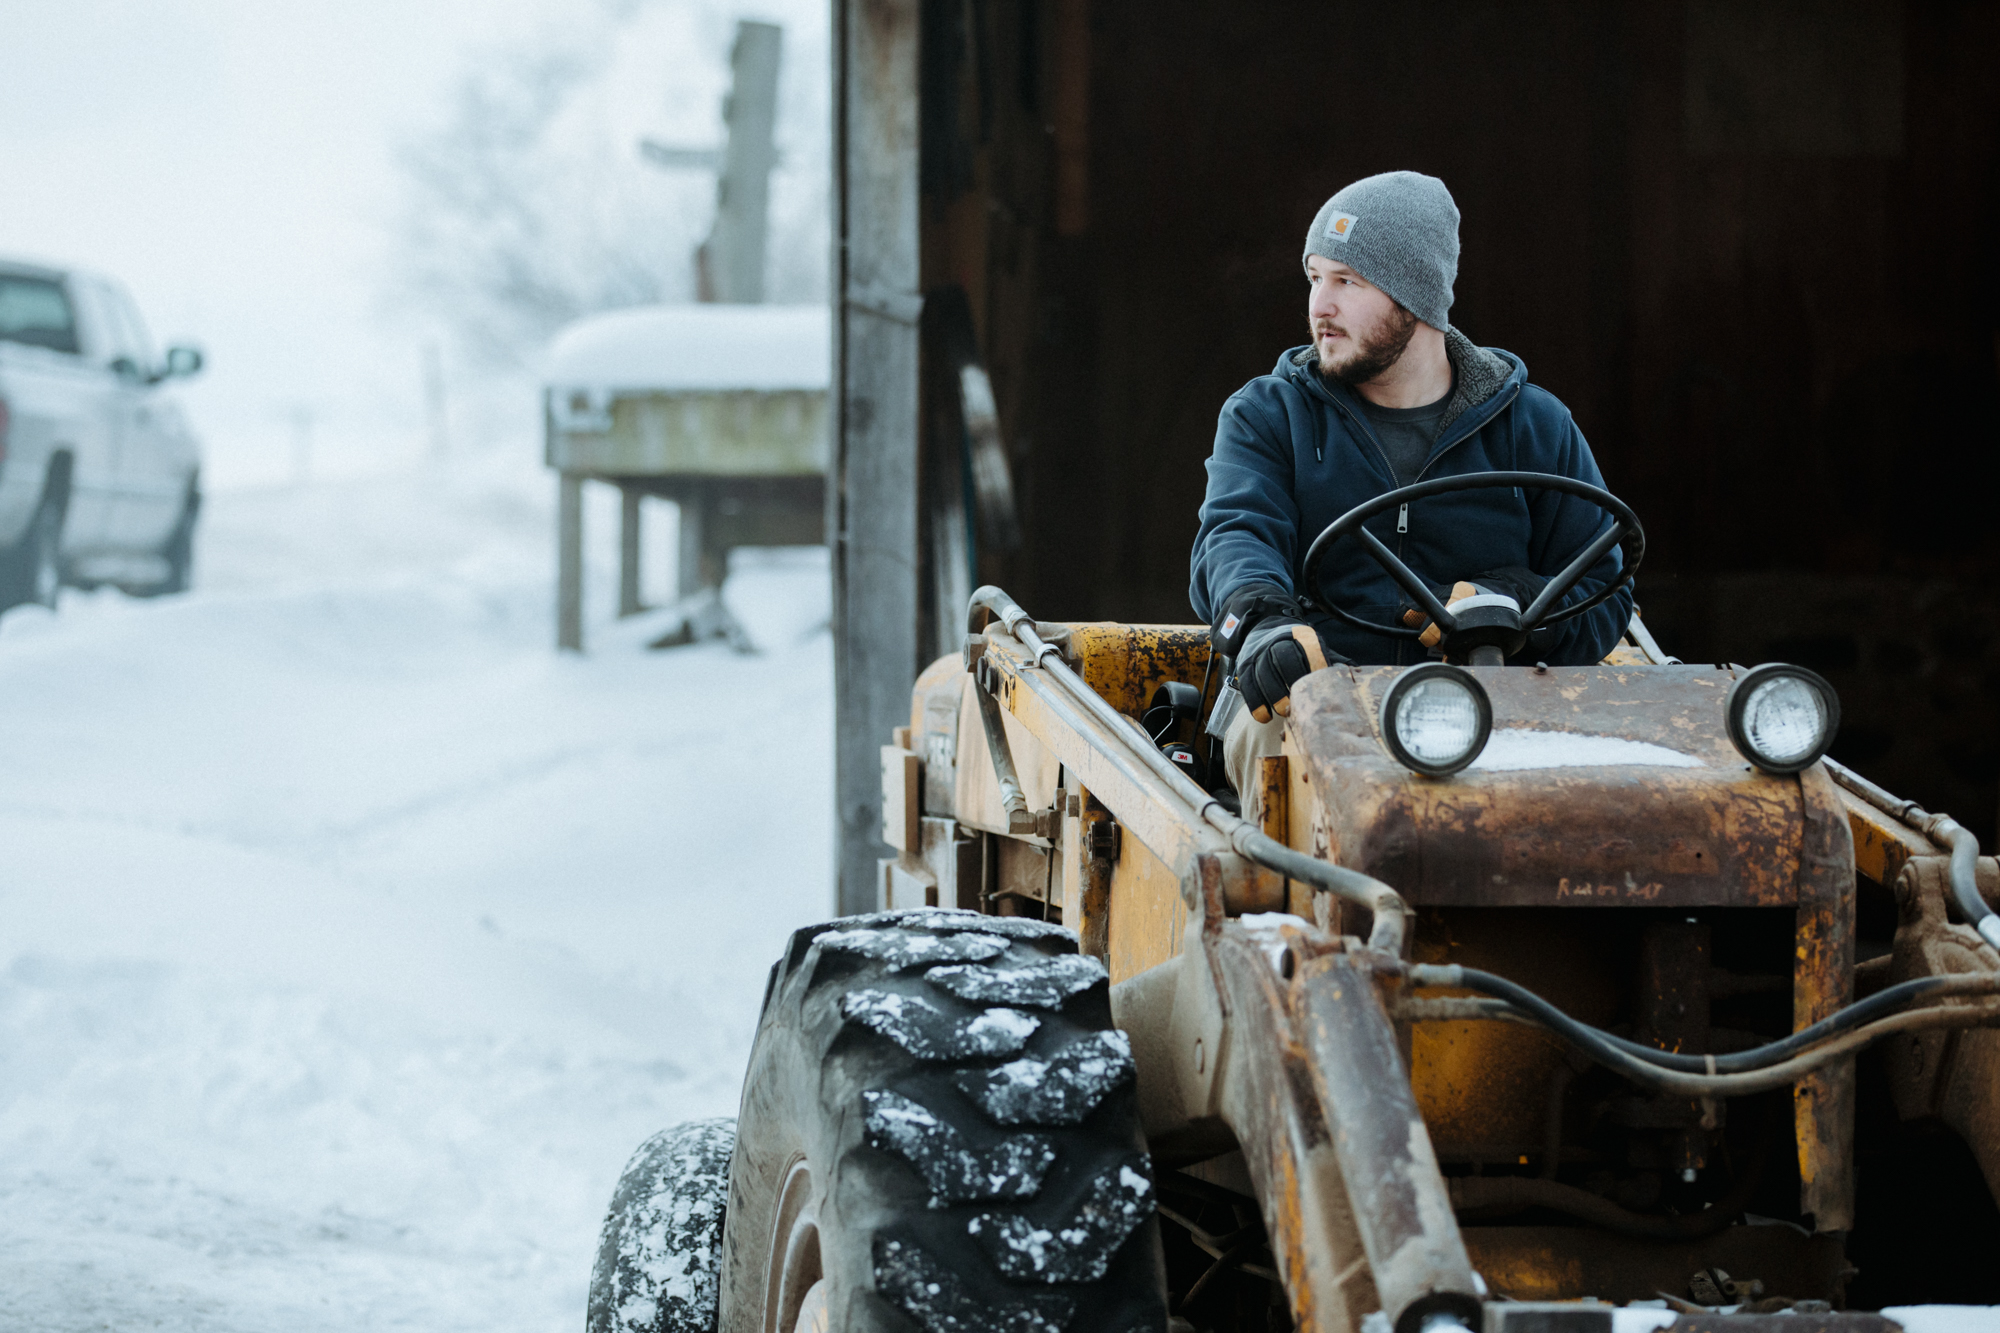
(1401, 233)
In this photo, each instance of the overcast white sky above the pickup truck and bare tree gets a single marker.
(237, 165)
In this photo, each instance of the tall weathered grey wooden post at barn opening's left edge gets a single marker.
(873, 493)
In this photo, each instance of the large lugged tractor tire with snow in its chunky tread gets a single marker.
(941, 1132)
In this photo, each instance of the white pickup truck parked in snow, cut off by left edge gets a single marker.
(99, 471)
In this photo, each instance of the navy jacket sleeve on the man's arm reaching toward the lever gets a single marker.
(1249, 517)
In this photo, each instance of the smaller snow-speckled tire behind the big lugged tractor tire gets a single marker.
(663, 1236)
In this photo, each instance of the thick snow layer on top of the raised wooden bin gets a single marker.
(695, 347)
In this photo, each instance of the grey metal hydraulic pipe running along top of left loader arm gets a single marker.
(1245, 840)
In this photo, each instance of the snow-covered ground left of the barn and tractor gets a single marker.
(351, 938)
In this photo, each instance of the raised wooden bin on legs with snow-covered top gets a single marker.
(717, 407)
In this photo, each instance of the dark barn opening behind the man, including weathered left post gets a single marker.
(1749, 245)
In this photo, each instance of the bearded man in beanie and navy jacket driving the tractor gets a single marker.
(1385, 397)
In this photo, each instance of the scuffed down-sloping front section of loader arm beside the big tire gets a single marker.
(1281, 1040)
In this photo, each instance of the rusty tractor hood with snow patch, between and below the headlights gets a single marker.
(1601, 786)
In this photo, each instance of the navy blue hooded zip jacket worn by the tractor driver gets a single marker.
(1295, 453)
